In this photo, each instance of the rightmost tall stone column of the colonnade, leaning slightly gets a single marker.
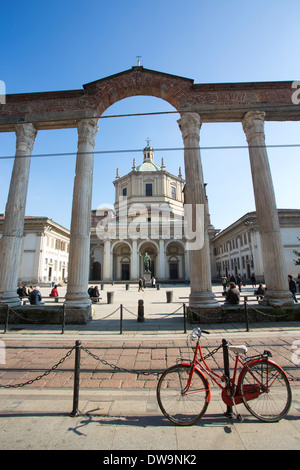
(277, 293)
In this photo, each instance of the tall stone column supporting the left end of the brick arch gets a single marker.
(79, 255)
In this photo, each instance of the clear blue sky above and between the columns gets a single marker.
(61, 45)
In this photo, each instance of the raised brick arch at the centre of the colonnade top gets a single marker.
(139, 82)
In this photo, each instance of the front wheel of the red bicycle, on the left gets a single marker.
(181, 403)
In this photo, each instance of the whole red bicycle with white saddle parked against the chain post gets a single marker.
(183, 390)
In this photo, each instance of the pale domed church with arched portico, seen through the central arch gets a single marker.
(147, 220)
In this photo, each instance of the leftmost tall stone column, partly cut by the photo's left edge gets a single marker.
(13, 226)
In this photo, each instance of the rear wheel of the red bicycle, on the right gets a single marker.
(266, 391)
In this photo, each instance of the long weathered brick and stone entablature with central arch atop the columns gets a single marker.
(217, 102)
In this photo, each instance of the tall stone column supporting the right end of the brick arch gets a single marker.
(201, 295)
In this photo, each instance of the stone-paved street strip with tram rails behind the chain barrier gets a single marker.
(125, 363)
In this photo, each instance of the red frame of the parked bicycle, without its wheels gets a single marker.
(231, 391)
